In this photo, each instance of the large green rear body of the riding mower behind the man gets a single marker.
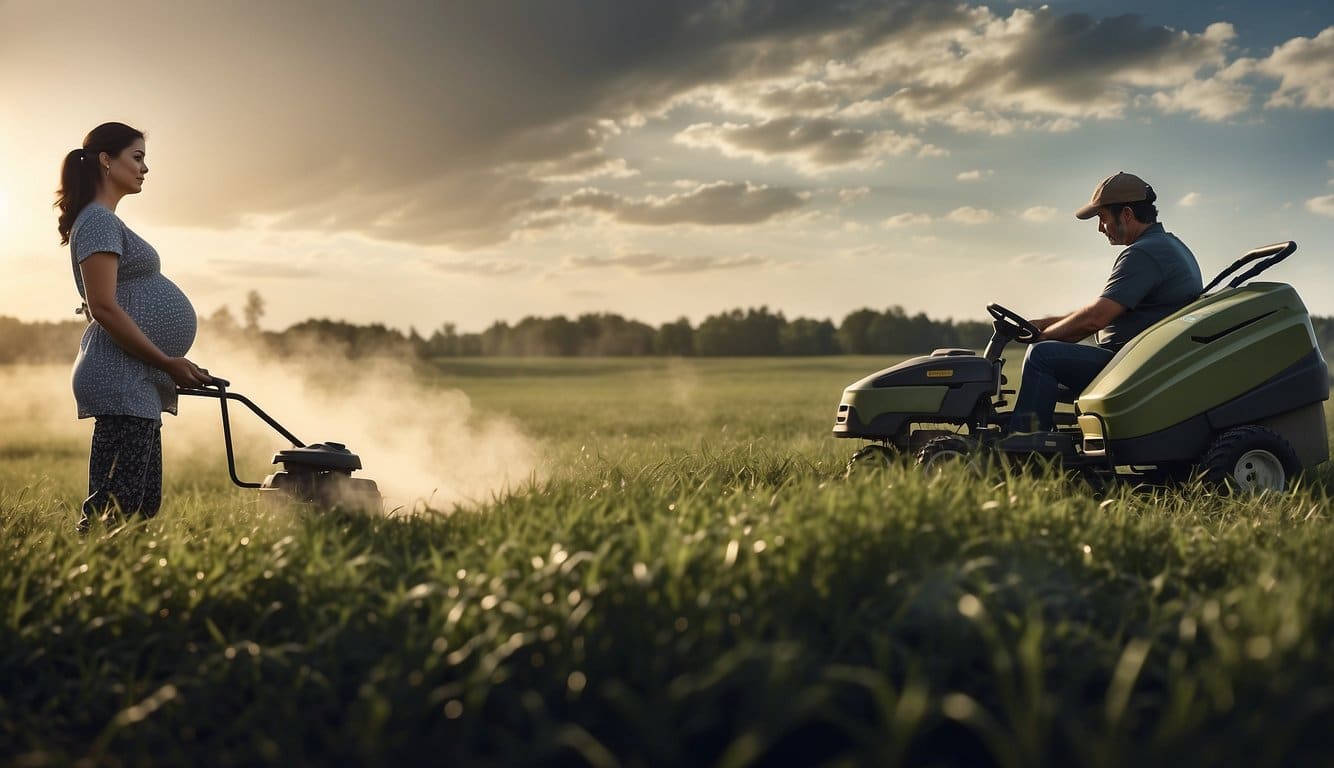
(1240, 357)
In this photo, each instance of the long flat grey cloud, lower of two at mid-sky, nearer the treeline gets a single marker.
(724, 203)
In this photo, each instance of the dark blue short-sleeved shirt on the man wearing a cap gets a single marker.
(1153, 278)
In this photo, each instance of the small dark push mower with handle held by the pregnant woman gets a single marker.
(319, 475)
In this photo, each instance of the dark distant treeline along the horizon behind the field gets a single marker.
(750, 333)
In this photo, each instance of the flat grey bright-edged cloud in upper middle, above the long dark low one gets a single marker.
(810, 146)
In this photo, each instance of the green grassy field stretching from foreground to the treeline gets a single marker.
(685, 579)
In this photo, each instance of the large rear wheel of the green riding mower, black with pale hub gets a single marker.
(1251, 459)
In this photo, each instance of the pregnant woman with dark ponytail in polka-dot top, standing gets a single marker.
(141, 326)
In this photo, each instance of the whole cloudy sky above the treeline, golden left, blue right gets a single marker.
(418, 163)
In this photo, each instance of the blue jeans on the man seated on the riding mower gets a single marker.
(1055, 373)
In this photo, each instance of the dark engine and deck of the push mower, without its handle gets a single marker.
(322, 475)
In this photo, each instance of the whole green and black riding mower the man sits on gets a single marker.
(1231, 387)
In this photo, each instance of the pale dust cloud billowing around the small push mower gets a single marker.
(425, 446)
